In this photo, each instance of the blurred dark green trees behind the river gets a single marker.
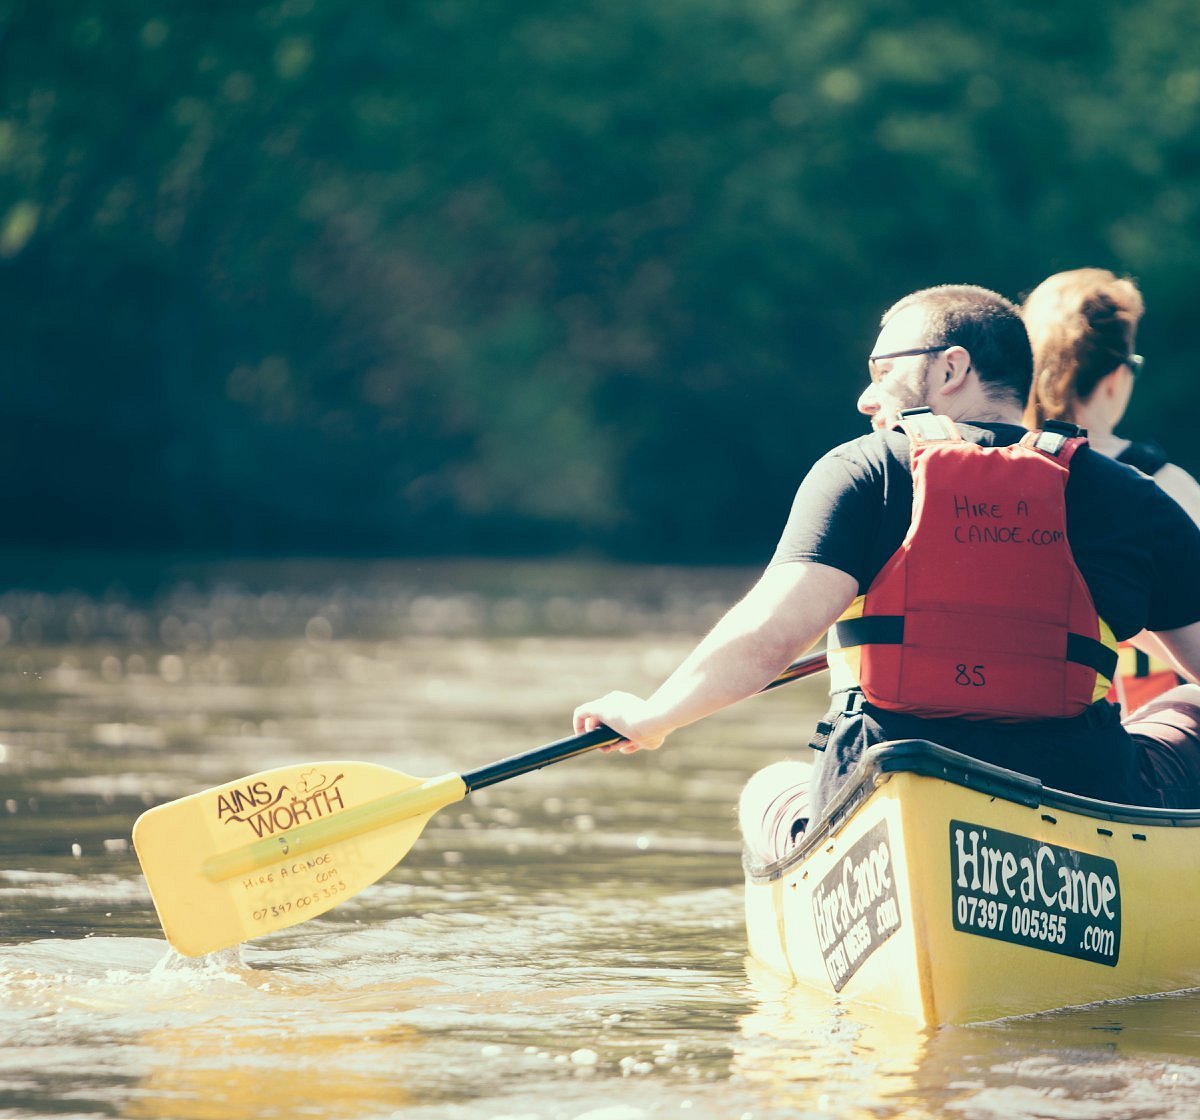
(454, 277)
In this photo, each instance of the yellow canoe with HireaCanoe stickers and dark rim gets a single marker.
(952, 891)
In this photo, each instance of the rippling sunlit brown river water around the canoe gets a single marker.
(563, 947)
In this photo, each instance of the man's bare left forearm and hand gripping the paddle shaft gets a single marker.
(784, 614)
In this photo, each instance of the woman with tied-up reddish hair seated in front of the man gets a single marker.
(1083, 325)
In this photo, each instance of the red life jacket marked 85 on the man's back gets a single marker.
(981, 614)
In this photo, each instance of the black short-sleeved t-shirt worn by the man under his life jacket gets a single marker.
(1138, 552)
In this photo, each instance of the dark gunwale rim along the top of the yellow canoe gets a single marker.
(931, 760)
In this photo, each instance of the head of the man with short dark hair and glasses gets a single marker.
(958, 349)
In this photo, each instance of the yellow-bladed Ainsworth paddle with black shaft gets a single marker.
(285, 846)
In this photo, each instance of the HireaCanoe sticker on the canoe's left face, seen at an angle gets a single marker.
(855, 907)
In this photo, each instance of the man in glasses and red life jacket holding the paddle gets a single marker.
(962, 352)
